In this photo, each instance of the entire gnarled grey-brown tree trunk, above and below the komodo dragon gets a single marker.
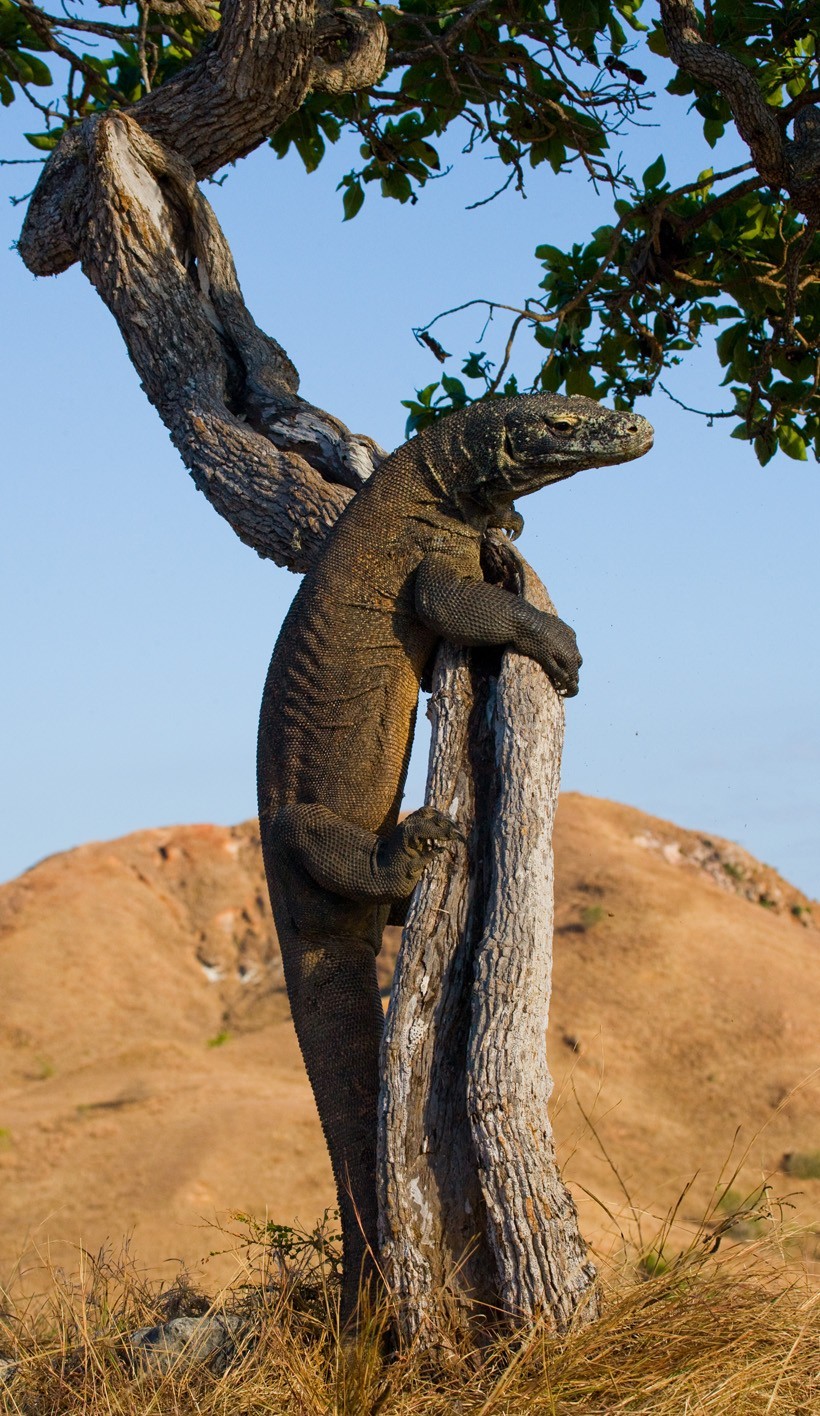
(477, 1223)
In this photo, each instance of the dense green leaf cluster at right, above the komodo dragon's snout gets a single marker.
(627, 307)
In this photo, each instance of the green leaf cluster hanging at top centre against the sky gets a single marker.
(533, 83)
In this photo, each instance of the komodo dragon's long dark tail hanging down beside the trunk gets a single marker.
(339, 1022)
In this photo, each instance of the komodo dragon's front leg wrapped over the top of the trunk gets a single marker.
(452, 598)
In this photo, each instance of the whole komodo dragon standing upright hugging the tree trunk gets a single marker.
(399, 573)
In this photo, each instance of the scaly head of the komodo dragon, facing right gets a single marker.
(511, 447)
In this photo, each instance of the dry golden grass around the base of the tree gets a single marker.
(693, 1332)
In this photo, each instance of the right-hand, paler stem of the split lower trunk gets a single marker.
(532, 1220)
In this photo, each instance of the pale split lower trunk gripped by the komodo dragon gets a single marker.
(477, 1223)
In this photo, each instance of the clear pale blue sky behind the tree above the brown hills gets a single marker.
(137, 629)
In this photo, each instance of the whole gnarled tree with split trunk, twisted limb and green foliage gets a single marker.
(181, 94)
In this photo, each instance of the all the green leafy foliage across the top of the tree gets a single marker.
(720, 258)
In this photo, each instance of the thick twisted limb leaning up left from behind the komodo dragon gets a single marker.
(278, 469)
